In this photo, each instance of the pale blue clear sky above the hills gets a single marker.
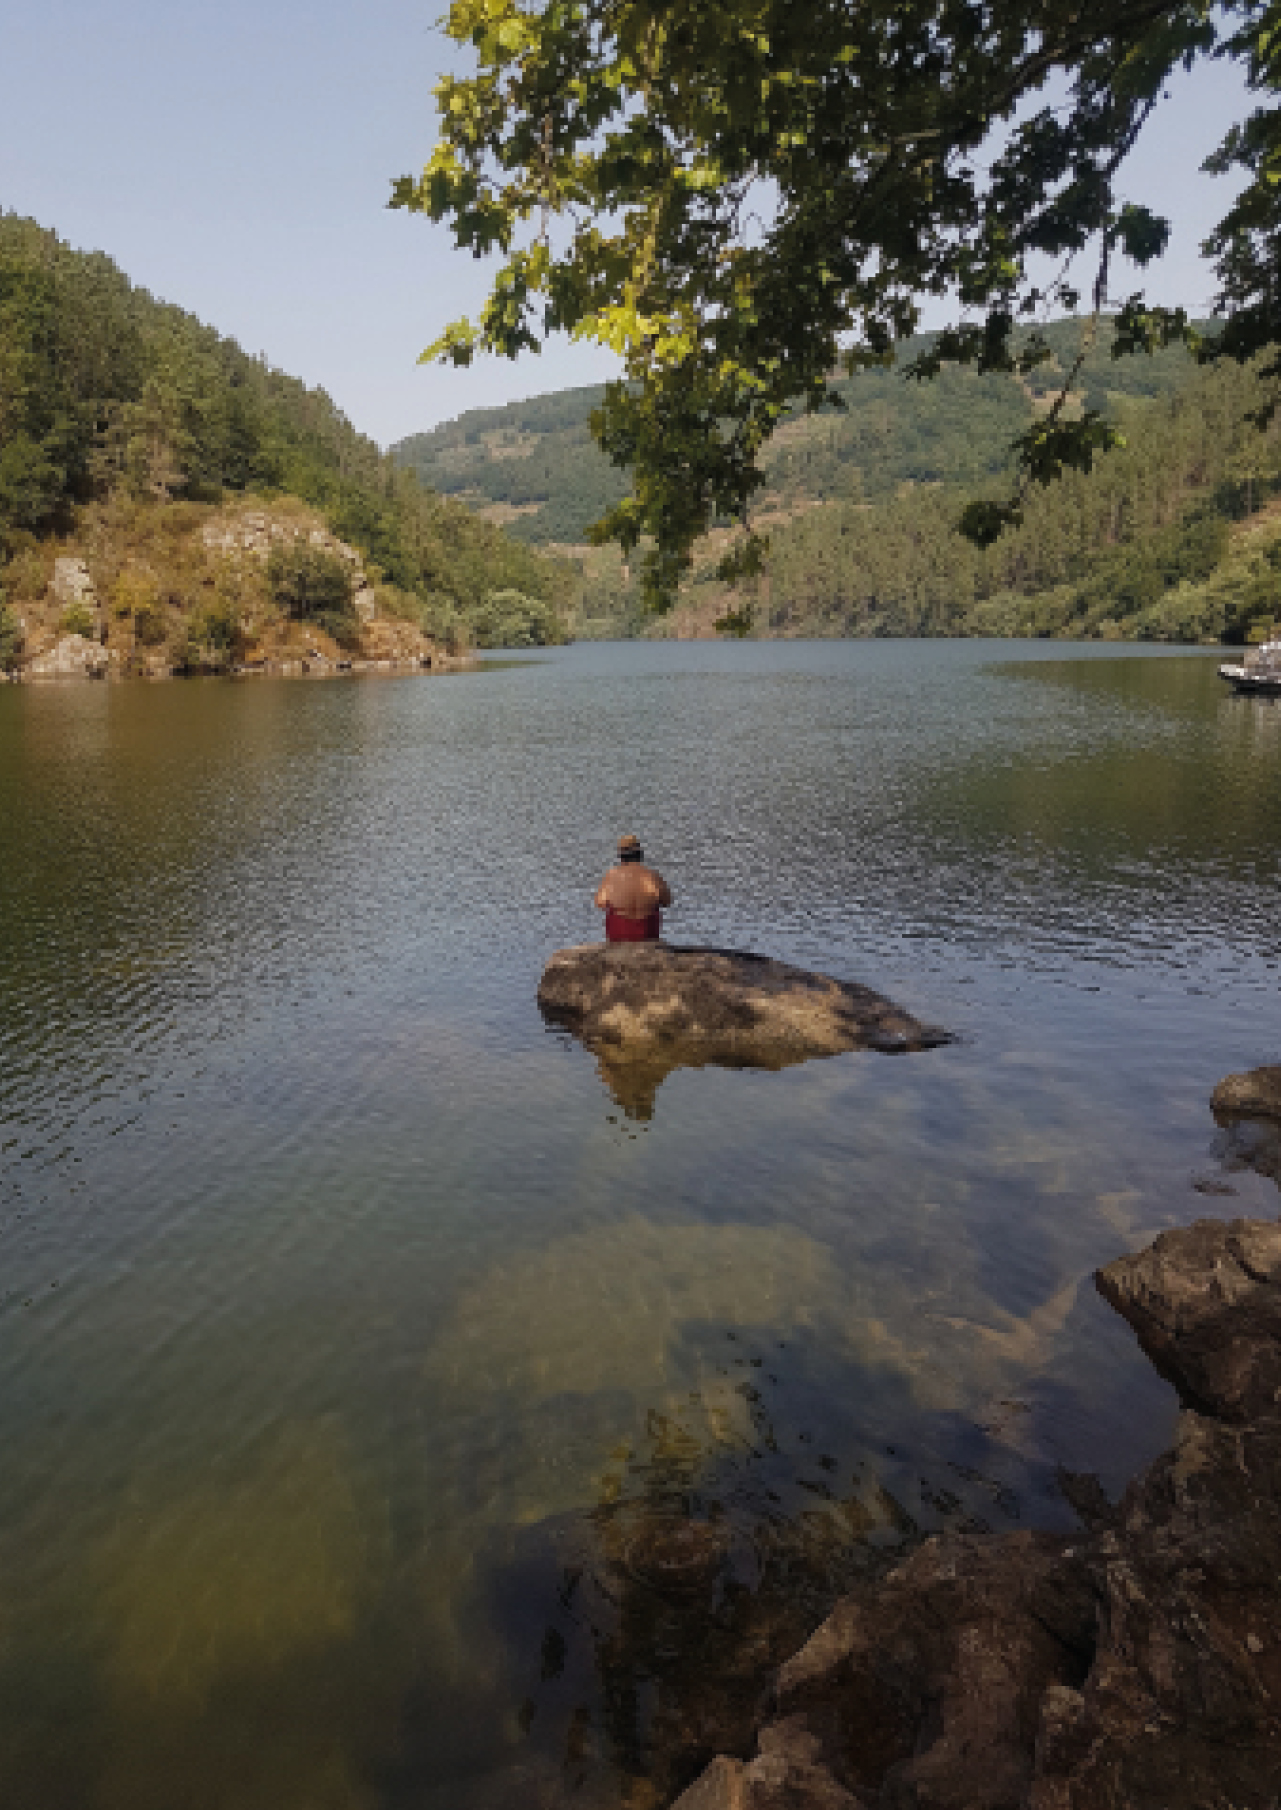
(238, 160)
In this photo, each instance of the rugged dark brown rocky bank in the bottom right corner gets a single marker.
(1137, 1664)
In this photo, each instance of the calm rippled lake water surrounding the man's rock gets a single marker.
(357, 1344)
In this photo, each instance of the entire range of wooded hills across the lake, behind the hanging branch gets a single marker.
(862, 506)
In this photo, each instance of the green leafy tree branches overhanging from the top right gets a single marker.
(745, 196)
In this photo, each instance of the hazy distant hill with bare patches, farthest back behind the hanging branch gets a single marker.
(535, 468)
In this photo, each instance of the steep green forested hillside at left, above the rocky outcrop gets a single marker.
(113, 397)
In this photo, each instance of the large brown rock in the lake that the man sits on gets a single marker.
(645, 1009)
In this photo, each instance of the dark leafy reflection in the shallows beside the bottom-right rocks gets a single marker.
(705, 1563)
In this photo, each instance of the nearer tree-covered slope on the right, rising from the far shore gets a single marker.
(1155, 542)
